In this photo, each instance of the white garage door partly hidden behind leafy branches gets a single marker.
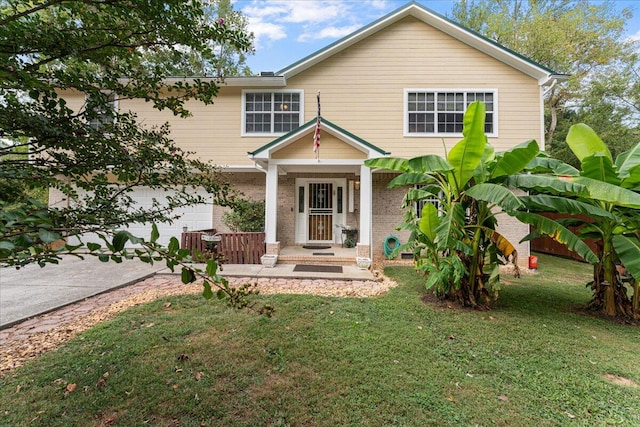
(197, 217)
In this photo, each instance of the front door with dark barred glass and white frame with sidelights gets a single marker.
(320, 209)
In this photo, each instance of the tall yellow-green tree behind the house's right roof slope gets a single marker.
(579, 38)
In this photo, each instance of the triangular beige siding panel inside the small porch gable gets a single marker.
(330, 148)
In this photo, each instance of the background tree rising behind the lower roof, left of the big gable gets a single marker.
(222, 60)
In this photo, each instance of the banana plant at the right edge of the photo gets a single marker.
(611, 204)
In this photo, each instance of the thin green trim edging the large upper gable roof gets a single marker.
(427, 10)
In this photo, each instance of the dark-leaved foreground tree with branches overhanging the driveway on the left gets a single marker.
(96, 155)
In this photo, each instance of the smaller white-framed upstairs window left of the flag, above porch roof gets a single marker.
(268, 113)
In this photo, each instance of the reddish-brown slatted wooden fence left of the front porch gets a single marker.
(233, 248)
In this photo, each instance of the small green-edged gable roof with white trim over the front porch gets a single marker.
(265, 151)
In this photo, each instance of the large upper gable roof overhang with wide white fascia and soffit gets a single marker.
(541, 73)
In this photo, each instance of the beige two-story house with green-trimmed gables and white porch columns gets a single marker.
(398, 86)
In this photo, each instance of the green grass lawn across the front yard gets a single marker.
(534, 360)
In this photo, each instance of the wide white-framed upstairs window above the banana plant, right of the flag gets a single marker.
(430, 112)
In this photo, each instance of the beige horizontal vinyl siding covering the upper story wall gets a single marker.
(362, 91)
